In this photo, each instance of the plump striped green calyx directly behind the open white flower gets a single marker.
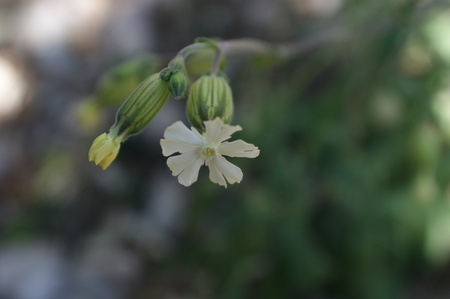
(210, 97)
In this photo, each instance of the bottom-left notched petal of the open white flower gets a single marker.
(186, 167)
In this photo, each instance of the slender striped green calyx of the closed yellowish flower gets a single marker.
(141, 106)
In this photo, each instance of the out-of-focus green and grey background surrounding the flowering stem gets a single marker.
(350, 197)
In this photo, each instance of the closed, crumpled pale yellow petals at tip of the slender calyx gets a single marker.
(104, 150)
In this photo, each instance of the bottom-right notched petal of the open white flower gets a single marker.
(220, 165)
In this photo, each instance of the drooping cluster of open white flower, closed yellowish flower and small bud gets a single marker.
(209, 109)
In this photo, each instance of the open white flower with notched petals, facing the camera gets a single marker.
(208, 149)
